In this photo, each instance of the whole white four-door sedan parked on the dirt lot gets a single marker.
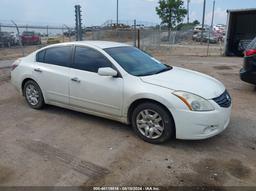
(120, 82)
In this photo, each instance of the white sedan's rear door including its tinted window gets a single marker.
(52, 73)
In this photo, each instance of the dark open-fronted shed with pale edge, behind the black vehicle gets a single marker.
(241, 29)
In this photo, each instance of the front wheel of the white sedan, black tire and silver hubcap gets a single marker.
(158, 128)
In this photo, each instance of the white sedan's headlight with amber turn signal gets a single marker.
(194, 102)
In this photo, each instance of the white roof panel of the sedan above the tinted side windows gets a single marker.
(98, 44)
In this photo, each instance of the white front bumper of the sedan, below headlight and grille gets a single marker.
(201, 125)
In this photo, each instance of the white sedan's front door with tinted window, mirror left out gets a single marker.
(89, 90)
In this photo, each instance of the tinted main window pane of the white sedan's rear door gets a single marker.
(60, 56)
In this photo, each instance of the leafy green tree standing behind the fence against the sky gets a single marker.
(171, 12)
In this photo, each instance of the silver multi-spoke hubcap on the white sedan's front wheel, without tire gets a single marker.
(150, 124)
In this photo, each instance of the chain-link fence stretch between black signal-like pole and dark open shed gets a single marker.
(176, 43)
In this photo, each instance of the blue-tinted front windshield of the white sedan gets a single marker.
(136, 62)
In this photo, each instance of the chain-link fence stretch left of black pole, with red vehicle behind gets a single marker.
(19, 39)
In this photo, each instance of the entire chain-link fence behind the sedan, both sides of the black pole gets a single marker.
(27, 38)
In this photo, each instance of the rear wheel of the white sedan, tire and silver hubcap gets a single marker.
(33, 95)
